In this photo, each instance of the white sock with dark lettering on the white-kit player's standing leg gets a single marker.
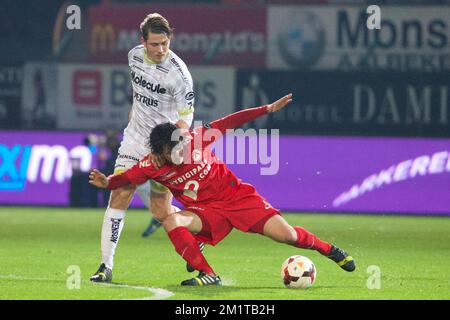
(111, 230)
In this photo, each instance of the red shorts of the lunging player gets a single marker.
(248, 211)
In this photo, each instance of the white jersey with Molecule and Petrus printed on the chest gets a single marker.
(161, 92)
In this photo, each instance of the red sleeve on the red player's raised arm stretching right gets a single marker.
(229, 122)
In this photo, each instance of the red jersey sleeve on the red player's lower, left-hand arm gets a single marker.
(138, 174)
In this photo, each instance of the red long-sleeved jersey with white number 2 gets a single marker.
(207, 179)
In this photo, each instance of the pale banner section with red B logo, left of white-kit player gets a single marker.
(93, 96)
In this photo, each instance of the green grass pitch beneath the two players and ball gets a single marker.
(38, 246)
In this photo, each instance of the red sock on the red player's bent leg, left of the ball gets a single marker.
(187, 247)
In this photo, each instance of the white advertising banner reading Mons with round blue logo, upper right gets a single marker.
(338, 38)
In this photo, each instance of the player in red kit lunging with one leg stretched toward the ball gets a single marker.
(215, 200)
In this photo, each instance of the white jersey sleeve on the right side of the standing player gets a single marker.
(184, 96)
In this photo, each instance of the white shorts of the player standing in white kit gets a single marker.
(132, 149)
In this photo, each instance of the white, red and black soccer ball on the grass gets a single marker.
(298, 272)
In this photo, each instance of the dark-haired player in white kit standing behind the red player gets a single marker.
(162, 92)
